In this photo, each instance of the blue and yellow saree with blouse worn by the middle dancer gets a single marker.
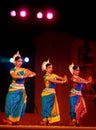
(50, 109)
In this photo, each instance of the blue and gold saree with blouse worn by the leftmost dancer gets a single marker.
(16, 98)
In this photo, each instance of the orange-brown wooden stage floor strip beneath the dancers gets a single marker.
(38, 127)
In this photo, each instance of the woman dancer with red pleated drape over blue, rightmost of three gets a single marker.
(77, 102)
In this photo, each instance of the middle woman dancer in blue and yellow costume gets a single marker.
(50, 109)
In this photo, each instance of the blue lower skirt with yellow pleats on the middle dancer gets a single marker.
(50, 107)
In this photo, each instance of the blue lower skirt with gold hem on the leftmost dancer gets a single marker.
(15, 104)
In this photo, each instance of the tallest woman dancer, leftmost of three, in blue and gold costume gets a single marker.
(16, 99)
